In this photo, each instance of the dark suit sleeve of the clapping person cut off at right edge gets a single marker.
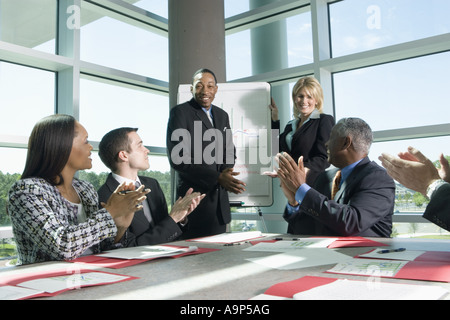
(438, 210)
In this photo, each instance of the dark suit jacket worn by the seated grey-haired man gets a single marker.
(362, 207)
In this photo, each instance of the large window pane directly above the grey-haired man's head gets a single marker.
(403, 94)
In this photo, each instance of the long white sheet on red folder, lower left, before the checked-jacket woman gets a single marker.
(77, 280)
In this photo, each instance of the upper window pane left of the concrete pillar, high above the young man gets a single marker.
(113, 43)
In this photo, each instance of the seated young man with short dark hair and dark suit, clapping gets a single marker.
(122, 151)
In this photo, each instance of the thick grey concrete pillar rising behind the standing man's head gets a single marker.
(196, 40)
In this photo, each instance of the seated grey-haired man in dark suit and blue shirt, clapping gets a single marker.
(360, 204)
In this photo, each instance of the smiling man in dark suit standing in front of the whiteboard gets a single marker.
(201, 150)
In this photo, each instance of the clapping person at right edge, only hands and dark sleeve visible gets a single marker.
(415, 171)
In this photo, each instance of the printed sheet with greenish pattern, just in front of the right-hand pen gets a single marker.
(366, 267)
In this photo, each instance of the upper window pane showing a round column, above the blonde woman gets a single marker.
(275, 46)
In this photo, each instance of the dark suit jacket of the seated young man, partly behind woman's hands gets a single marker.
(163, 228)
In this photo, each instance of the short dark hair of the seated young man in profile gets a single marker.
(112, 143)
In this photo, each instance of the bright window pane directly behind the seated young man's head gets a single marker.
(123, 107)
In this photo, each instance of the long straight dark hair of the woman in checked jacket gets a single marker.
(49, 148)
